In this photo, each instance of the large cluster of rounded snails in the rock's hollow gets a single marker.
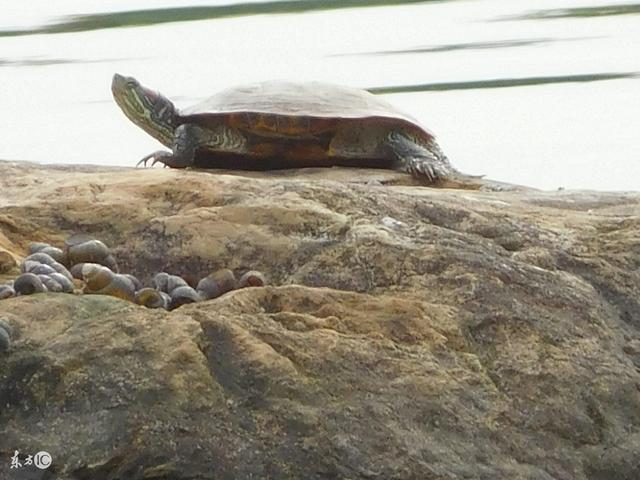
(51, 269)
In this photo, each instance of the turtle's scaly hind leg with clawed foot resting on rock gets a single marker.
(423, 161)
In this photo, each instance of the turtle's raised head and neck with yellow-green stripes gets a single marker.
(150, 110)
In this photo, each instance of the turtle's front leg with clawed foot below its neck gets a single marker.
(189, 138)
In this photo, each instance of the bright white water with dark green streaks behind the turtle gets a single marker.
(540, 93)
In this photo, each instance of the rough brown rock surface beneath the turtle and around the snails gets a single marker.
(412, 332)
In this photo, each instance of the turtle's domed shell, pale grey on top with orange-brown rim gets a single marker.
(297, 110)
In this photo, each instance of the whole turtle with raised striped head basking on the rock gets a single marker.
(282, 124)
